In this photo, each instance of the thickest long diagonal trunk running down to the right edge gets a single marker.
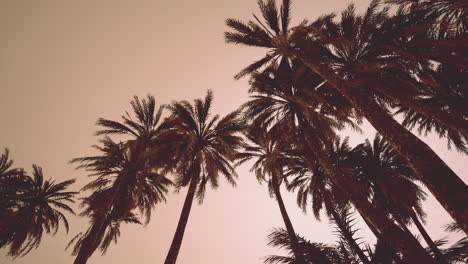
(443, 183)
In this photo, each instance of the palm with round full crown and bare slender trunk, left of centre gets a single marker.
(203, 149)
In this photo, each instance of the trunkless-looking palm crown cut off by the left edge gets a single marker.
(34, 206)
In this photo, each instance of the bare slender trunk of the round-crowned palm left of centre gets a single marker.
(179, 234)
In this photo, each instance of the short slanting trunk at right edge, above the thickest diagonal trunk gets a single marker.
(441, 117)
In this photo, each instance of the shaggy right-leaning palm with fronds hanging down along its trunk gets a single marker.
(130, 176)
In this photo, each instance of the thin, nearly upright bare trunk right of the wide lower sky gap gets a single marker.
(287, 221)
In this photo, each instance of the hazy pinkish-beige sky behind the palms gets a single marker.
(64, 64)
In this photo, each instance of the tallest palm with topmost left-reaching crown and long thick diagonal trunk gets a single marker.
(306, 45)
